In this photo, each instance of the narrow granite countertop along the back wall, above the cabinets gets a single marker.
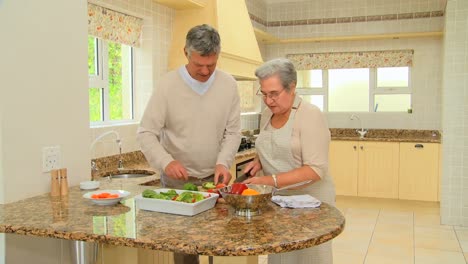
(388, 135)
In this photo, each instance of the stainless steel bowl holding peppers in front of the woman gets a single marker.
(248, 205)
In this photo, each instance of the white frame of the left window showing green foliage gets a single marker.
(101, 80)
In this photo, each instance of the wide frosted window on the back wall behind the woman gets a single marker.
(385, 89)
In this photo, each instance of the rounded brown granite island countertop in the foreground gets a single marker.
(216, 232)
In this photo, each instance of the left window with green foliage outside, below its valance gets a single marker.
(110, 67)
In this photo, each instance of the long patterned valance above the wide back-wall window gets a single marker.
(342, 60)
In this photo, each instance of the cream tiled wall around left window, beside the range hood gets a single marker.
(150, 63)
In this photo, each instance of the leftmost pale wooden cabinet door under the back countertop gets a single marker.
(343, 166)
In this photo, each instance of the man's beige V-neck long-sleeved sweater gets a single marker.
(200, 131)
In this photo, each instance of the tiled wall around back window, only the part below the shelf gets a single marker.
(425, 82)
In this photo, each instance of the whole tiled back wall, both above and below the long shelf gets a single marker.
(426, 73)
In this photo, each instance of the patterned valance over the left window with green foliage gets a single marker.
(114, 26)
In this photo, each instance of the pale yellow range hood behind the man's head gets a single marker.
(239, 56)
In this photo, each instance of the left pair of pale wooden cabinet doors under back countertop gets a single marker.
(367, 169)
